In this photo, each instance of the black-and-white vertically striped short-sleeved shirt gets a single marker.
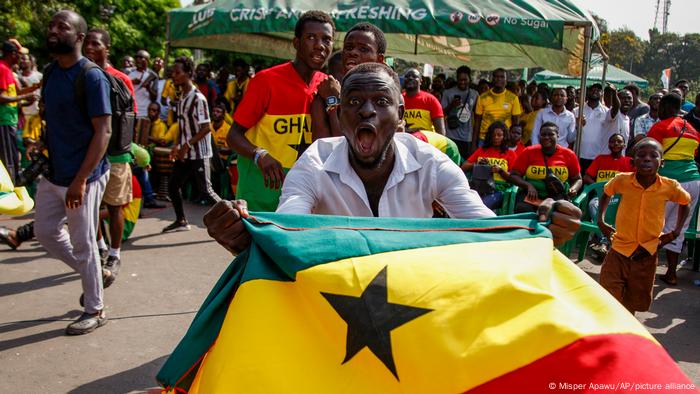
(192, 113)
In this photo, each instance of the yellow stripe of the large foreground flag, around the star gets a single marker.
(495, 307)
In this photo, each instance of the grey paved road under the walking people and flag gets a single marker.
(164, 279)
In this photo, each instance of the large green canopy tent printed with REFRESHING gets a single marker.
(484, 34)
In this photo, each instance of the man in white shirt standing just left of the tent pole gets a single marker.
(560, 116)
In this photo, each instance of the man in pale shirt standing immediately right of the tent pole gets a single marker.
(595, 115)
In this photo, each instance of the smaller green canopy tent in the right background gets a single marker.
(614, 75)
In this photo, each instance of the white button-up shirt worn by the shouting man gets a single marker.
(322, 181)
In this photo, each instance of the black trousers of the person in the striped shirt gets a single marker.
(182, 170)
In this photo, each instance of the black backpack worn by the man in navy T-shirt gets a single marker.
(121, 100)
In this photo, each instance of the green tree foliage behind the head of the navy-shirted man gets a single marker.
(133, 24)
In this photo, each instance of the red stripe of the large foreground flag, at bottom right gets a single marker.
(597, 364)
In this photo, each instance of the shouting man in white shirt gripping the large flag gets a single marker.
(373, 170)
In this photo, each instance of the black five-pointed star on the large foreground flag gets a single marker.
(371, 318)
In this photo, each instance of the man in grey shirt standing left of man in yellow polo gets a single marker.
(458, 105)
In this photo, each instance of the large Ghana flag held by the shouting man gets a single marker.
(326, 304)
